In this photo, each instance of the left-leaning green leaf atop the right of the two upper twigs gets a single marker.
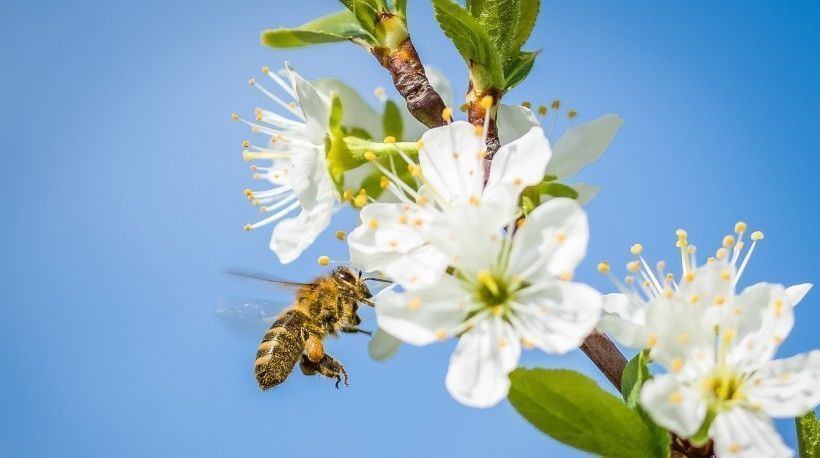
(472, 42)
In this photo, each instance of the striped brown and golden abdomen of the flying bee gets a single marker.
(280, 349)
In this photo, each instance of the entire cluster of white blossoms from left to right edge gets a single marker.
(487, 257)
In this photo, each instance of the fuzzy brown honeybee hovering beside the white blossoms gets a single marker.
(326, 306)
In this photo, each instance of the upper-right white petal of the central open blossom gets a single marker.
(555, 235)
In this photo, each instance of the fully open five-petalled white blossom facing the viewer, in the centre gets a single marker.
(504, 292)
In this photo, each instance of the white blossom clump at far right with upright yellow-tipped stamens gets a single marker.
(717, 346)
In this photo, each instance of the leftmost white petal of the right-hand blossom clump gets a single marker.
(624, 319)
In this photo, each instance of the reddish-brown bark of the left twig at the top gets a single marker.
(404, 65)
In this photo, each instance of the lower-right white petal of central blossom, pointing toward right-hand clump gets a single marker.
(556, 318)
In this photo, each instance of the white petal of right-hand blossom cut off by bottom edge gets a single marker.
(742, 433)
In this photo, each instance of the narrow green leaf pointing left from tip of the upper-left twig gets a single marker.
(334, 27)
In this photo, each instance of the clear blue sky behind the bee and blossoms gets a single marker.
(122, 183)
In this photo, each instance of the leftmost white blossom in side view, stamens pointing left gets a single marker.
(295, 158)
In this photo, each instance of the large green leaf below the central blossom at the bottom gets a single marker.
(573, 409)
